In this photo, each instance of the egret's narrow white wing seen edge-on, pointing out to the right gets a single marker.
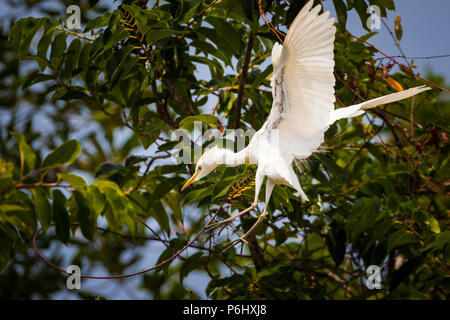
(358, 109)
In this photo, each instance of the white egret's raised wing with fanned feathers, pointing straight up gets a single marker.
(303, 82)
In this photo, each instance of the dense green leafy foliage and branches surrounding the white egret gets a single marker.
(137, 72)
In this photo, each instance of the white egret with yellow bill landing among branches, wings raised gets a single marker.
(302, 110)
